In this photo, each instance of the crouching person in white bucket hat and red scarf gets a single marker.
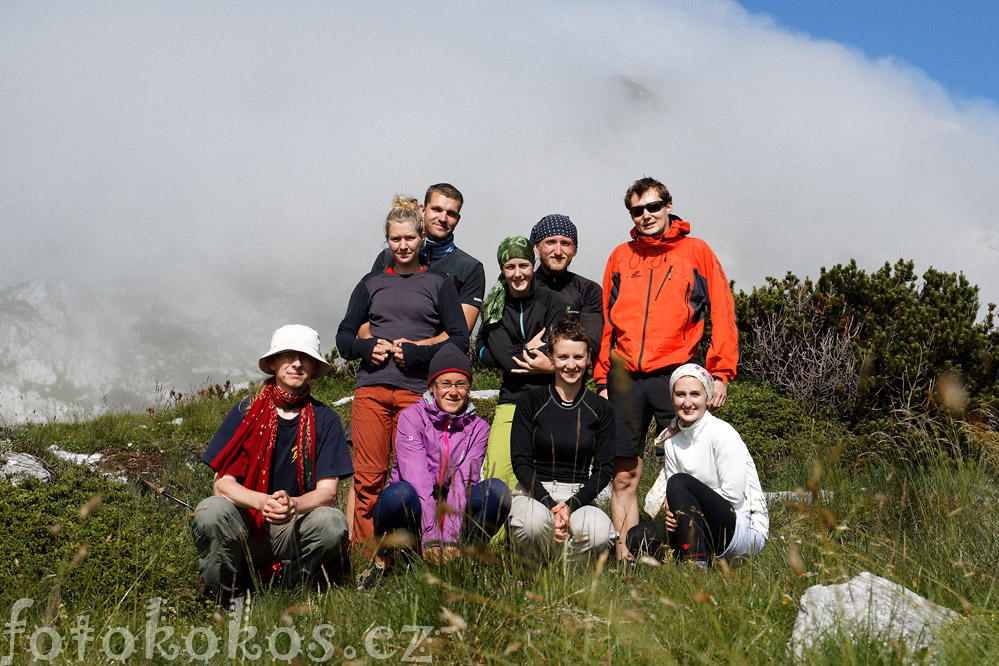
(278, 457)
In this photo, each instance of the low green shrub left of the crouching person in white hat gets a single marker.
(83, 539)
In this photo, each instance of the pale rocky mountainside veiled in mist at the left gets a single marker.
(68, 351)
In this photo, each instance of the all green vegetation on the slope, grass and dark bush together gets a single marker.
(871, 397)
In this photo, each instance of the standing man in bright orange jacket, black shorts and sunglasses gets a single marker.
(656, 291)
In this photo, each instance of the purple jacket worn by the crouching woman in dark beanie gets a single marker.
(419, 450)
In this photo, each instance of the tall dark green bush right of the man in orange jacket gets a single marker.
(869, 344)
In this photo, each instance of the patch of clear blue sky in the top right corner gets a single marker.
(954, 43)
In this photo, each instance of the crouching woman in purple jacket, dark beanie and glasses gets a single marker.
(440, 444)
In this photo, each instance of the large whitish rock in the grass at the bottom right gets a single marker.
(868, 606)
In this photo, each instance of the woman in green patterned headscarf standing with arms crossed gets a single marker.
(516, 314)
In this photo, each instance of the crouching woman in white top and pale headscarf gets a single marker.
(709, 488)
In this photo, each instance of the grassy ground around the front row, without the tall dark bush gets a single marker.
(128, 557)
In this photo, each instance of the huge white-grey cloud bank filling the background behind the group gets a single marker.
(248, 152)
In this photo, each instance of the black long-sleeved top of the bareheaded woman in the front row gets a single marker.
(552, 440)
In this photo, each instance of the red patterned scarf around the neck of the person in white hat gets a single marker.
(257, 435)
